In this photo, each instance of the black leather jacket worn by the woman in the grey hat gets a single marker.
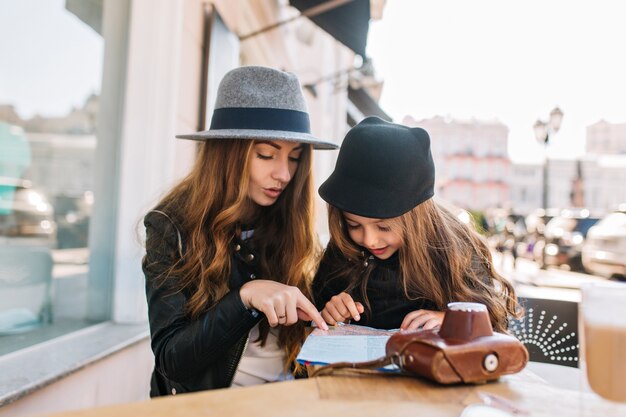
(193, 355)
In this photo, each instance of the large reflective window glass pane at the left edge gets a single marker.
(50, 81)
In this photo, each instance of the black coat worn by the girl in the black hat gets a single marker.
(389, 304)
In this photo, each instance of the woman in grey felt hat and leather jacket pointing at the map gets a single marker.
(231, 249)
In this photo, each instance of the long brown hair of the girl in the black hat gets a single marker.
(441, 259)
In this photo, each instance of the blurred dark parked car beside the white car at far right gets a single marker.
(564, 238)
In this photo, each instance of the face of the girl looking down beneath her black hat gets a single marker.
(373, 234)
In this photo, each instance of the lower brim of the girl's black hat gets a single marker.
(367, 200)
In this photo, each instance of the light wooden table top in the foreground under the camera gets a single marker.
(362, 396)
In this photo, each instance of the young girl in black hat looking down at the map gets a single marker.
(396, 257)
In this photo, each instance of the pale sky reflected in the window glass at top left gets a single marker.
(50, 60)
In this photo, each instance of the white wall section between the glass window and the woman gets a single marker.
(150, 156)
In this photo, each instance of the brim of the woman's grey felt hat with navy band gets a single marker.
(255, 134)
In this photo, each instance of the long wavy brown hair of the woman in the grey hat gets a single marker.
(212, 204)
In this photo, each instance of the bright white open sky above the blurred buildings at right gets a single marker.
(512, 61)
